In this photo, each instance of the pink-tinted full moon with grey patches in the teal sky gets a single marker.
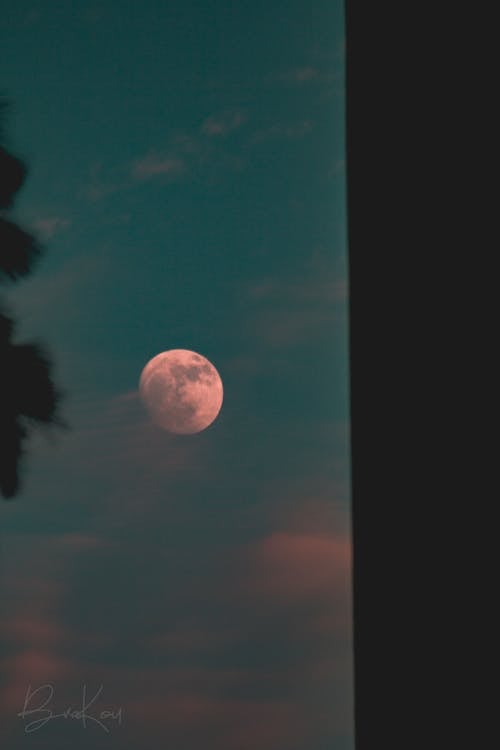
(181, 390)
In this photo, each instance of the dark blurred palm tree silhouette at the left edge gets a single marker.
(28, 397)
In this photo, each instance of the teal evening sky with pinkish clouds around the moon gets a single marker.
(187, 179)
